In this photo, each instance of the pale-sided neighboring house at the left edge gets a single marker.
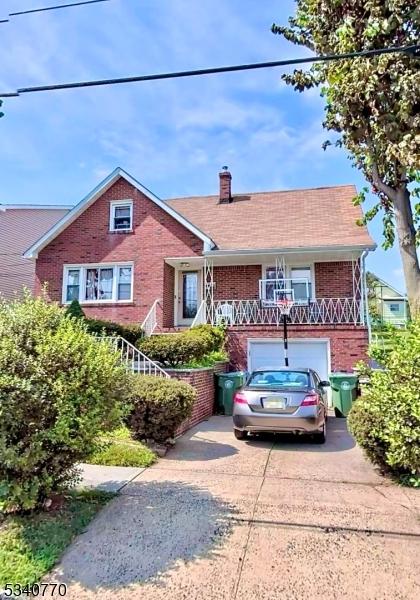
(20, 226)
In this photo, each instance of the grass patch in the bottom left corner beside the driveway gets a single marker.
(30, 545)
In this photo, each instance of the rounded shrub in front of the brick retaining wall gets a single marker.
(159, 406)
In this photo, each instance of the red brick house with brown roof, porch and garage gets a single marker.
(131, 257)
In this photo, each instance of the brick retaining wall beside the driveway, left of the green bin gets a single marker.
(203, 381)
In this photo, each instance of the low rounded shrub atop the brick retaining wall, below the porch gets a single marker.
(175, 349)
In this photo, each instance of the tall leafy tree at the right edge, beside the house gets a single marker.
(373, 104)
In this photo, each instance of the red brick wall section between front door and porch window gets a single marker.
(237, 282)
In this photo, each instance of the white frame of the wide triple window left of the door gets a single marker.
(115, 266)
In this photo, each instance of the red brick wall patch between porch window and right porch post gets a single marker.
(334, 280)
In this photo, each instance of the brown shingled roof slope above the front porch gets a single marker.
(306, 218)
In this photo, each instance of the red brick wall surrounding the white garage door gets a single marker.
(348, 344)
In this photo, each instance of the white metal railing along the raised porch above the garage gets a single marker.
(323, 311)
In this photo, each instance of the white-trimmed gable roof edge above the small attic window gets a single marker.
(88, 200)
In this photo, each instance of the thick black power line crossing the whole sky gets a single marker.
(414, 50)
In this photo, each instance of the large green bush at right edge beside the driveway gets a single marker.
(385, 420)
